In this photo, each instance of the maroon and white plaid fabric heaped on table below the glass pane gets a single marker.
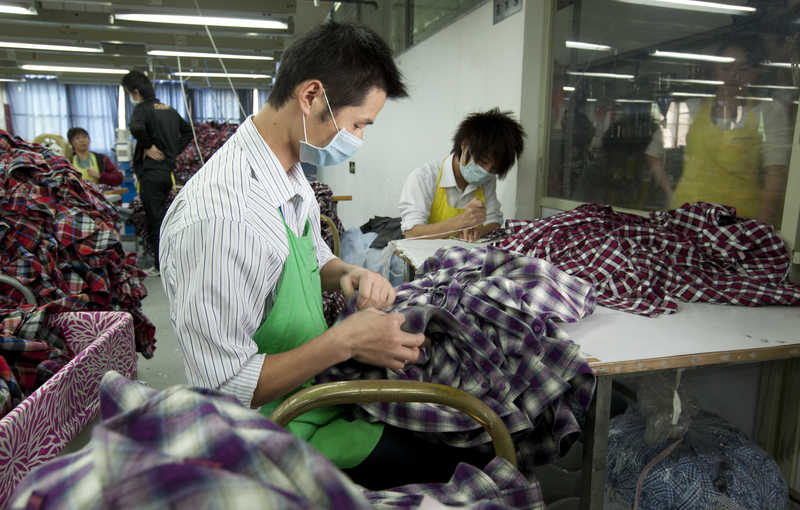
(698, 252)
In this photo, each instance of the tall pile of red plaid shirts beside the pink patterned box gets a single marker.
(58, 238)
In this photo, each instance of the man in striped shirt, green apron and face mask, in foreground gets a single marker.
(242, 259)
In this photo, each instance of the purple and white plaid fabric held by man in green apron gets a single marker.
(491, 317)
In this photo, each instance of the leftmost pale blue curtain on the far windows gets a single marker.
(38, 106)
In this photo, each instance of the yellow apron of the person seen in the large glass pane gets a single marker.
(722, 166)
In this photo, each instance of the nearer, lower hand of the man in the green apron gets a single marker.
(375, 337)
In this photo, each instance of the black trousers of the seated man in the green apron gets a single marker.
(401, 458)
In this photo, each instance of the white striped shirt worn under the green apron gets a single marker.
(223, 247)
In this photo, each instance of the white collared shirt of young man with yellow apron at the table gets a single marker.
(419, 189)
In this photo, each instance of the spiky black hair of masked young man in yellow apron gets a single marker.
(492, 135)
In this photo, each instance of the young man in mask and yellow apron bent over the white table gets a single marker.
(457, 193)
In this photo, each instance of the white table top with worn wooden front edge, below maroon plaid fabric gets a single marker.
(699, 334)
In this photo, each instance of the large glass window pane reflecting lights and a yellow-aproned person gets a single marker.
(654, 107)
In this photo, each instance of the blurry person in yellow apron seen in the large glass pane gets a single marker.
(737, 150)
